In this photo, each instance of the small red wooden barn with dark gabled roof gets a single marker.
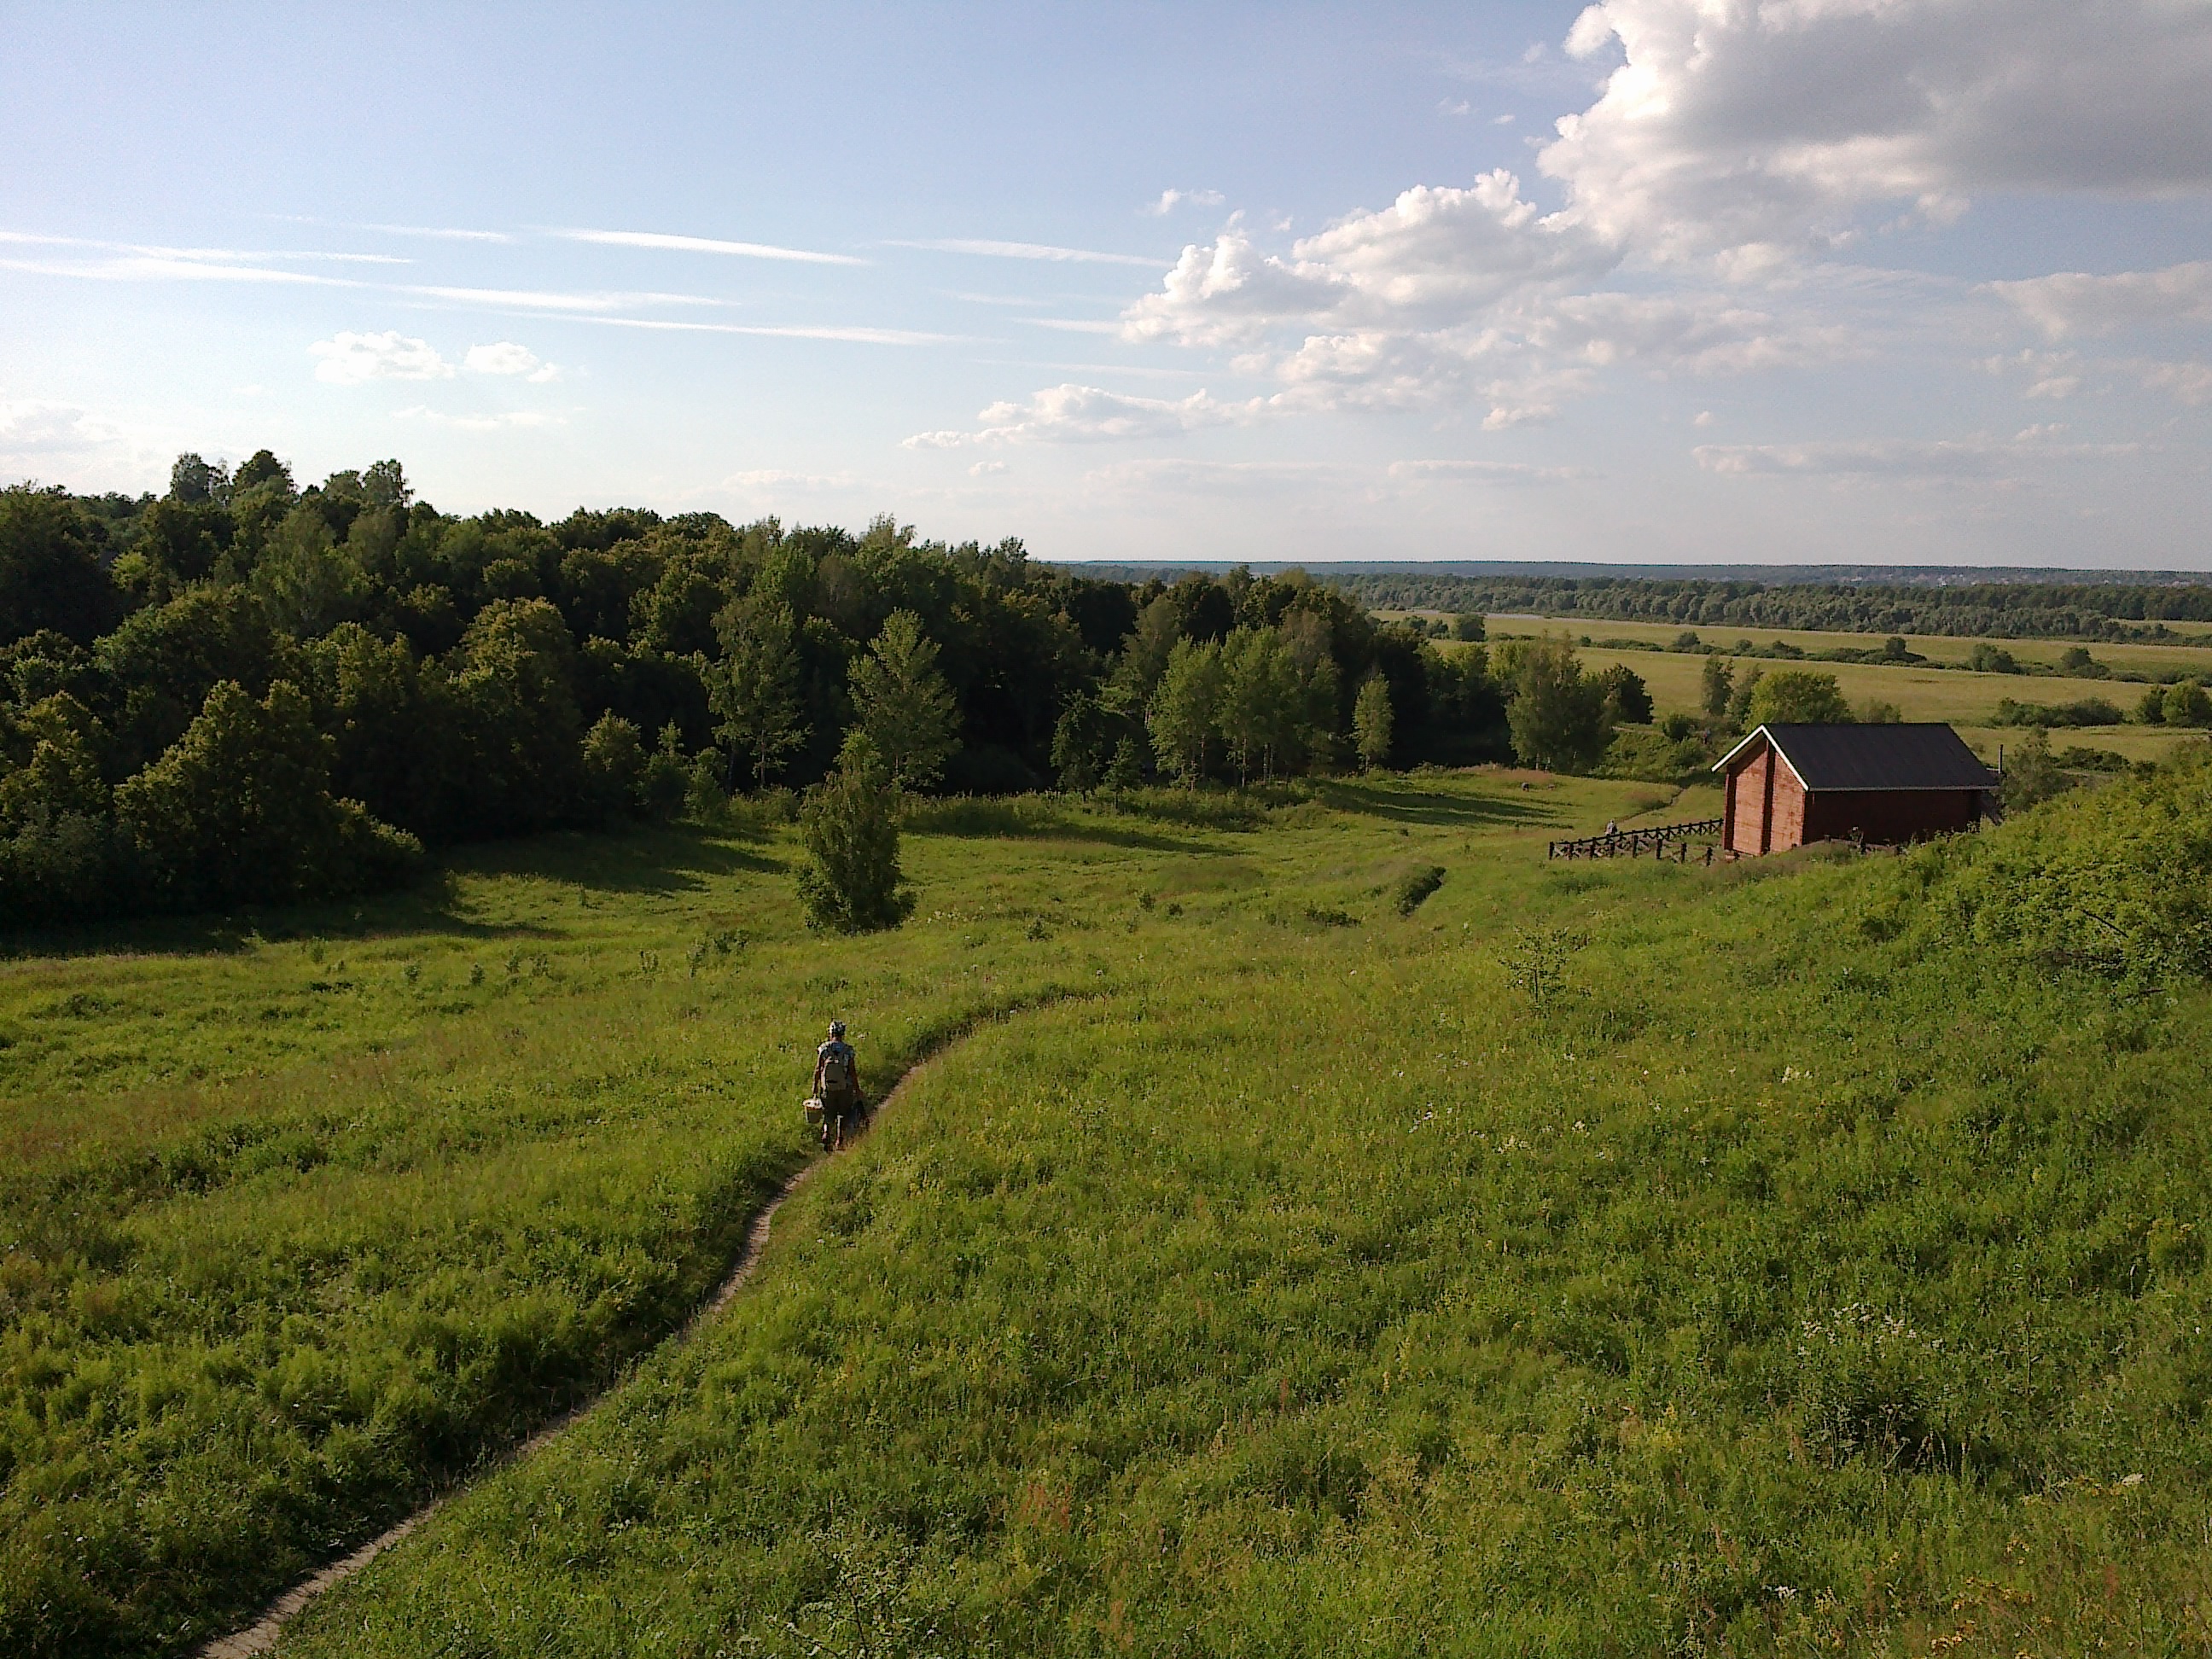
(1795, 784)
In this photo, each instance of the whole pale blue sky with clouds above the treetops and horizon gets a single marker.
(1906, 282)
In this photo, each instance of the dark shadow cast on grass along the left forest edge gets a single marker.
(640, 862)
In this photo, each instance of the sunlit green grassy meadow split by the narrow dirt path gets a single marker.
(1273, 1277)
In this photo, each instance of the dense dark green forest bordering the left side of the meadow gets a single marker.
(251, 691)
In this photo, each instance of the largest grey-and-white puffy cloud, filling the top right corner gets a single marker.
(1766, 127)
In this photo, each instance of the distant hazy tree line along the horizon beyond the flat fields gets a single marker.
(1996, 609)
